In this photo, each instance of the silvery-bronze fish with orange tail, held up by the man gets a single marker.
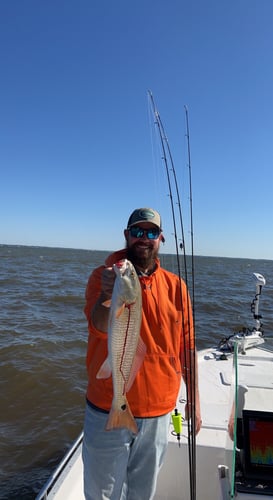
(126, 349)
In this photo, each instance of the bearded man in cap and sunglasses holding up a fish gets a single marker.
(119, 464)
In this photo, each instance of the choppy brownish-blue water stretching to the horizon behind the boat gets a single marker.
(43, 345)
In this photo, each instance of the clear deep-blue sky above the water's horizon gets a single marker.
(79, 149)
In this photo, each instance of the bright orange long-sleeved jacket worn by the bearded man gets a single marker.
(166, 332)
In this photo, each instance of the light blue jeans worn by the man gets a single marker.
(119, 465)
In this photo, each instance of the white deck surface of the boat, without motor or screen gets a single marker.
(214, 447)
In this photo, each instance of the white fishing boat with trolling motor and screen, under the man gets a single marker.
(236, 383)
